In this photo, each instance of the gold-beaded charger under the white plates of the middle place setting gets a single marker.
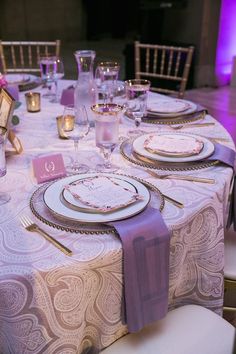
(128, 153)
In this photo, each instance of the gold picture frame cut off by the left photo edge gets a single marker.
(7, 105)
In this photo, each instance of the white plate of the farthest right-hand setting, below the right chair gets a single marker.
(157, 108)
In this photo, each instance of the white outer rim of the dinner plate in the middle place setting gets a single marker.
(138, 146)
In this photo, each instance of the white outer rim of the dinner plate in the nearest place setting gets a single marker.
(77, 216)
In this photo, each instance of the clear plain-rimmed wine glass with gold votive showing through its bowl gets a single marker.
(75, 126)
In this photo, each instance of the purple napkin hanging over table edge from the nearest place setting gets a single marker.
(145, 240)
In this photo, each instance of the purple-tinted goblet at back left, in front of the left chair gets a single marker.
(47, 65)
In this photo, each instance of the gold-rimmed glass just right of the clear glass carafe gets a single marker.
(106, 76)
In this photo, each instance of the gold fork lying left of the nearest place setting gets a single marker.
(29, 225)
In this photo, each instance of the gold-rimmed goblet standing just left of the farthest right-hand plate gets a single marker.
(136, 101)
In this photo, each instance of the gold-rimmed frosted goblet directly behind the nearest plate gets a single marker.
(107, 132)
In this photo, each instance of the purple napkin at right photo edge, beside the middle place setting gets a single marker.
(227, 156)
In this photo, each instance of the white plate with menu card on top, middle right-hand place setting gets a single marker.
(201, 149)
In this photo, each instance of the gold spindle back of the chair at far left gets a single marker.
(18, 57)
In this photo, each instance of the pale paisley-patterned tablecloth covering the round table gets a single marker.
(52, 303)
